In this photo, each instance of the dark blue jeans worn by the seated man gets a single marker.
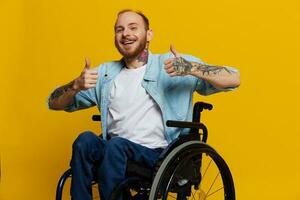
(104, 161)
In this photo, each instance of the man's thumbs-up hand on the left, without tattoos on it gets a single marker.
(87, 79)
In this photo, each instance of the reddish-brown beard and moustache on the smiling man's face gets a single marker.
(134, 50)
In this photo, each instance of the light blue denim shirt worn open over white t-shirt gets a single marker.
(172, 94)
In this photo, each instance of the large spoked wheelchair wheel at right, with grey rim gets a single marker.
(193, 170)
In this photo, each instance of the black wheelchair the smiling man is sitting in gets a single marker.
(187, 169)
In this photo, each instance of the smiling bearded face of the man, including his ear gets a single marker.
(130, 35)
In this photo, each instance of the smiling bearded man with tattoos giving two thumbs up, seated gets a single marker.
(136, 96)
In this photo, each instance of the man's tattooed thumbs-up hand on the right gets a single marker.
(177, 66)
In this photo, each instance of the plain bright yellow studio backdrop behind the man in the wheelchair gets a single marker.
(255, 128)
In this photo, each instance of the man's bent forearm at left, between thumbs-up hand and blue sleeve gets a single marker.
(62, 97)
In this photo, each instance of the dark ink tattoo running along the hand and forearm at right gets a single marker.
(184, 67)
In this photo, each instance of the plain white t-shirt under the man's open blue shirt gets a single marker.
(132, 113)
